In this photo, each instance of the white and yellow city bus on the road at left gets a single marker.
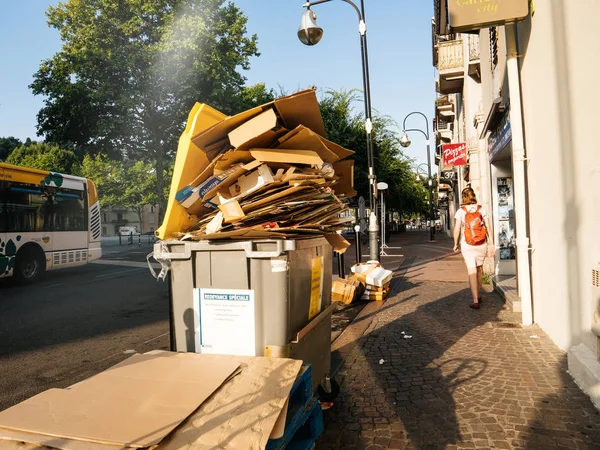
(48, 221)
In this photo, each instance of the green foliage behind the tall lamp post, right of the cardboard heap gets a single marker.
(345, 126)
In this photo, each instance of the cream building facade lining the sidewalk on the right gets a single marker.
(523, 95)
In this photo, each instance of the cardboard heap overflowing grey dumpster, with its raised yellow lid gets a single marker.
(267, 172)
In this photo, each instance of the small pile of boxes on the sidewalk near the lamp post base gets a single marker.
(369, 281)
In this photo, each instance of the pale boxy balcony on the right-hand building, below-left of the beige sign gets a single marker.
(451, 65)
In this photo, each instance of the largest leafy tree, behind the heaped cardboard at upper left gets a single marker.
(130, 71)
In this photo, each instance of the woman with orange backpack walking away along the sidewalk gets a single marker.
(474, 229)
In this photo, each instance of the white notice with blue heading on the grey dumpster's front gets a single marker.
(224, 320)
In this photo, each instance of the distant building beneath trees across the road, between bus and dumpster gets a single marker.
(114, 217)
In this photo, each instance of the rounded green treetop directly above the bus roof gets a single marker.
(45, 157)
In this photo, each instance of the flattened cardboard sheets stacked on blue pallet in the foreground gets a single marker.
(160, 400)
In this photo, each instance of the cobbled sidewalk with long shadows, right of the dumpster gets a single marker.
(429, 372)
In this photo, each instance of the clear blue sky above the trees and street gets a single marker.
(399, 49)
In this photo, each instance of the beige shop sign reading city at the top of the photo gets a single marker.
(468, 15)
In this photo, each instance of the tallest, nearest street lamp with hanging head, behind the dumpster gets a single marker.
(310, 33)
